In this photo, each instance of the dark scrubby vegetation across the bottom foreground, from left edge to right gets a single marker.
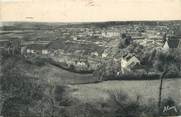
(27, 94)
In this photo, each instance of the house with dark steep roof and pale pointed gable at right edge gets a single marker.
(172, 44)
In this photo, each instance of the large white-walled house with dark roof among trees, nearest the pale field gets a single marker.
(128, 62)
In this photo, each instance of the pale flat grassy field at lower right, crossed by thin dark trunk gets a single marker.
(146, 90)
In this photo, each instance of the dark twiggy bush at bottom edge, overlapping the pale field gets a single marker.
(125, 107)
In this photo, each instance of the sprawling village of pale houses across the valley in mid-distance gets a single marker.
(85, 48)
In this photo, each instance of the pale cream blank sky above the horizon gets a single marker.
(89, 10)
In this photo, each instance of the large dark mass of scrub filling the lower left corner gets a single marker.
(27, 96)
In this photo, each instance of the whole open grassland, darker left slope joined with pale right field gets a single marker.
(87, 90)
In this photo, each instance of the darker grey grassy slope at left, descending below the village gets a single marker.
(47, 72)
